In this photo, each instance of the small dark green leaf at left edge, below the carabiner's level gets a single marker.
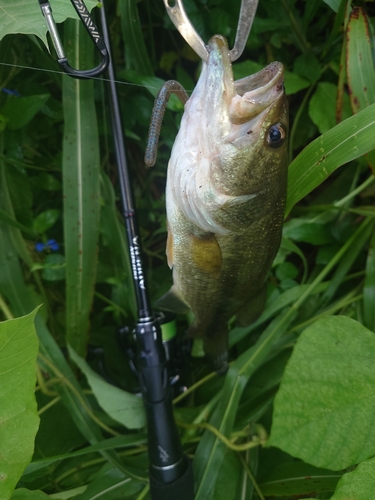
(21, 110)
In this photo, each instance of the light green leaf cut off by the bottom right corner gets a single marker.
(357, 485)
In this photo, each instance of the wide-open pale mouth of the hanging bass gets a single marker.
(249, 97)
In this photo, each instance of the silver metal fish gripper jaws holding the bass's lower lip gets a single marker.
(180, 19)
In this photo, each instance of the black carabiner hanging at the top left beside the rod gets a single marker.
(92, 30)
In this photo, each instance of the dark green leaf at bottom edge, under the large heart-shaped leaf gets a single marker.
(298, 478)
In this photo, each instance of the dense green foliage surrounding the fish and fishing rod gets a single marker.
(303, 373)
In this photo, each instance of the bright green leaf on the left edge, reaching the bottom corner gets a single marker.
(18, 409)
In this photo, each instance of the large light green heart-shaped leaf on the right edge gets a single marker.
(327, 389)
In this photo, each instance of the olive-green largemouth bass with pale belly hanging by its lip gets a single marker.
(225, 197)
